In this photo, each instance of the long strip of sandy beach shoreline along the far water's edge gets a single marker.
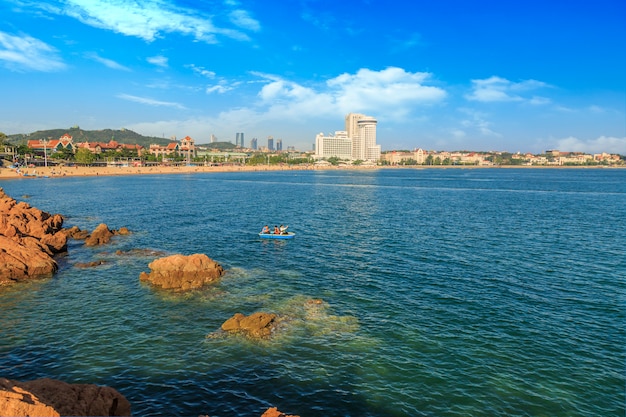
(78, 171)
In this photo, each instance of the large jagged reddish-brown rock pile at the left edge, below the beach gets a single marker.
(29, 238)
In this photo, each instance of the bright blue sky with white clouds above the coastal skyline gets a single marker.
(512, 76)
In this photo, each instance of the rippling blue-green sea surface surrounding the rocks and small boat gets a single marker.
(446, 292)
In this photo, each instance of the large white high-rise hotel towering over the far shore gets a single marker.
(357, 142)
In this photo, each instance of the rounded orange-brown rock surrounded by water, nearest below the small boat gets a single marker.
(181, 272)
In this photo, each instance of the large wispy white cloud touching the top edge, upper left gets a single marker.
(150, 20)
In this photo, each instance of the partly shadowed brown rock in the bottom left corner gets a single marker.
(50, 397)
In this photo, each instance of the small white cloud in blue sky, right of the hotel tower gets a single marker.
(497, 89)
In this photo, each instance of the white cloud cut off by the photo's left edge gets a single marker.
(25, 53)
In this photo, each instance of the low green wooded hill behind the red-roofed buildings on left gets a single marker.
(80, 135)
